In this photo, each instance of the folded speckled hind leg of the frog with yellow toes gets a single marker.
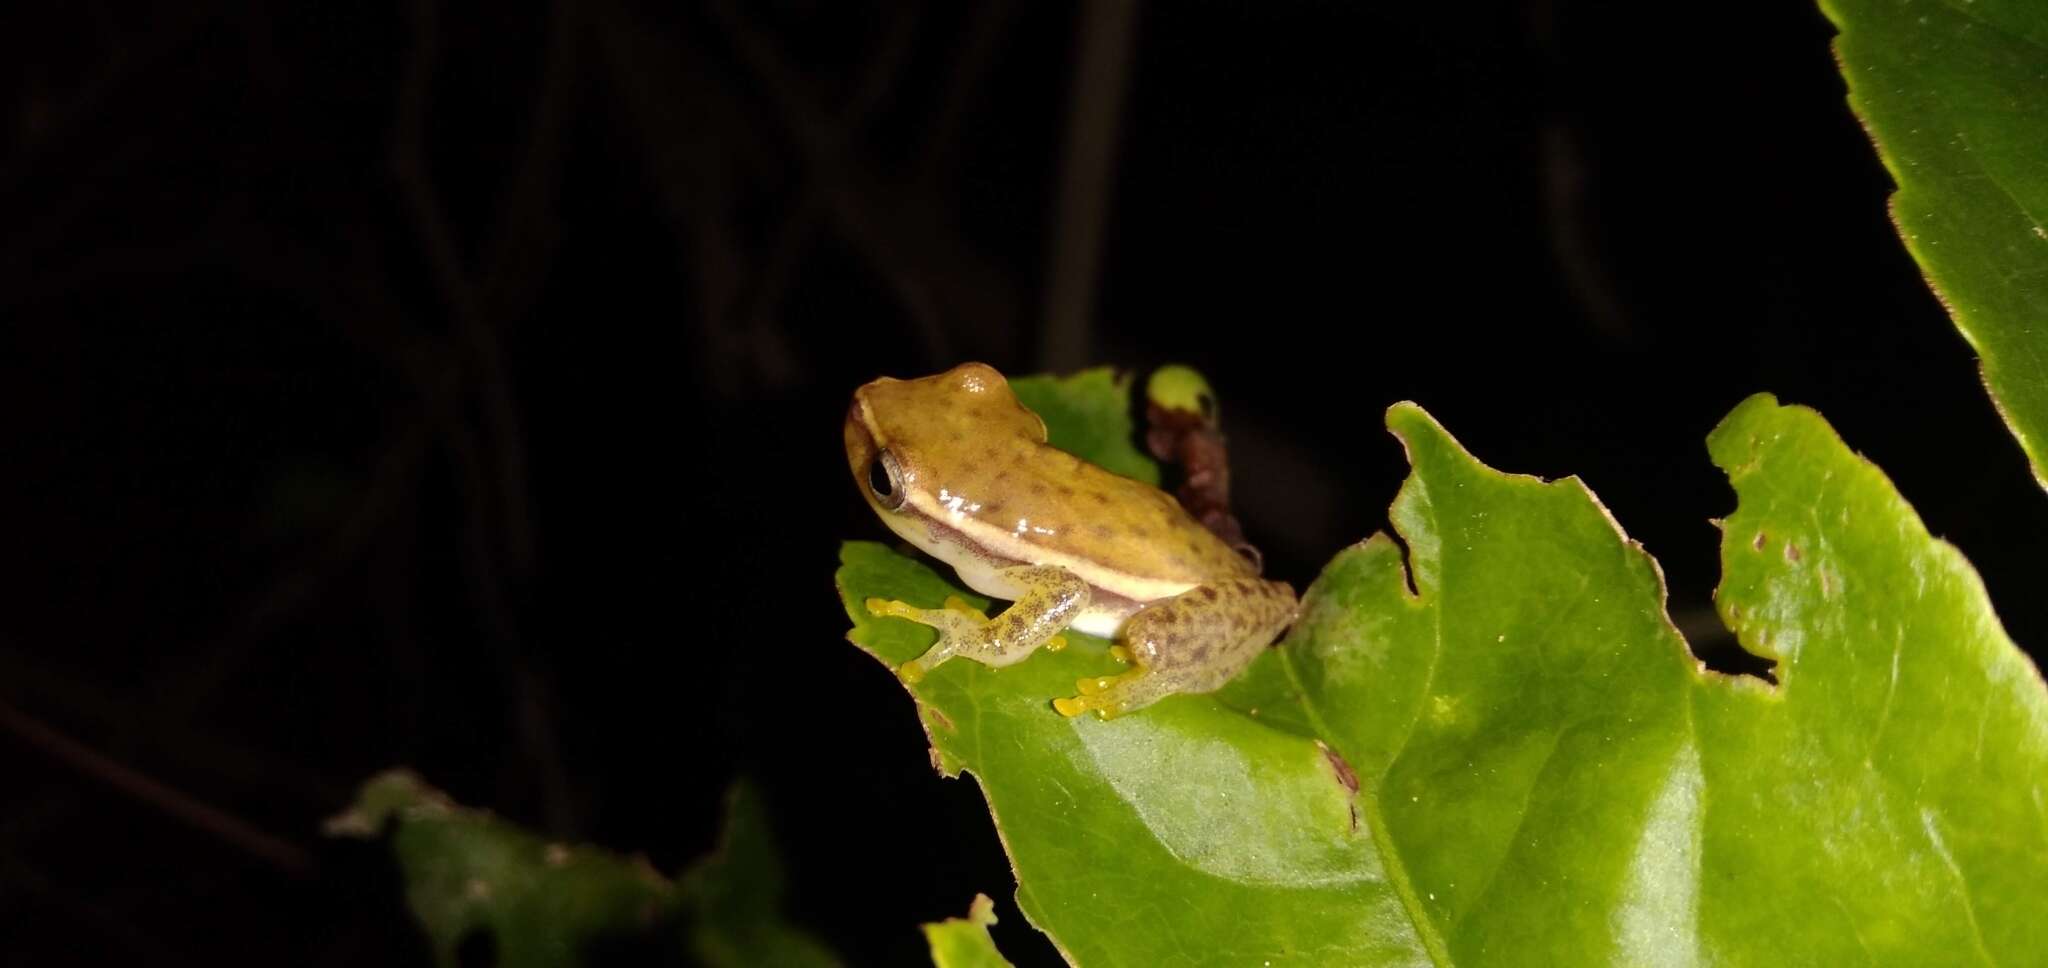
(1195, 642)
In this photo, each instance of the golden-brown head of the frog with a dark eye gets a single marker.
(908, 439)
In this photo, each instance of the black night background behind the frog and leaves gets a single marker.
(480, 412)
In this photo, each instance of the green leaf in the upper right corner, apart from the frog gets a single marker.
(1953, 95)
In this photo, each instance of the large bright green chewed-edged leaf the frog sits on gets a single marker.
(1519, 760)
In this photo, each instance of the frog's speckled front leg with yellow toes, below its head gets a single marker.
(1046, 601)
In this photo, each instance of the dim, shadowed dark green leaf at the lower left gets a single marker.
(546, 904)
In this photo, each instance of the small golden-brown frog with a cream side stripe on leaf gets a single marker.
(959, 468)
